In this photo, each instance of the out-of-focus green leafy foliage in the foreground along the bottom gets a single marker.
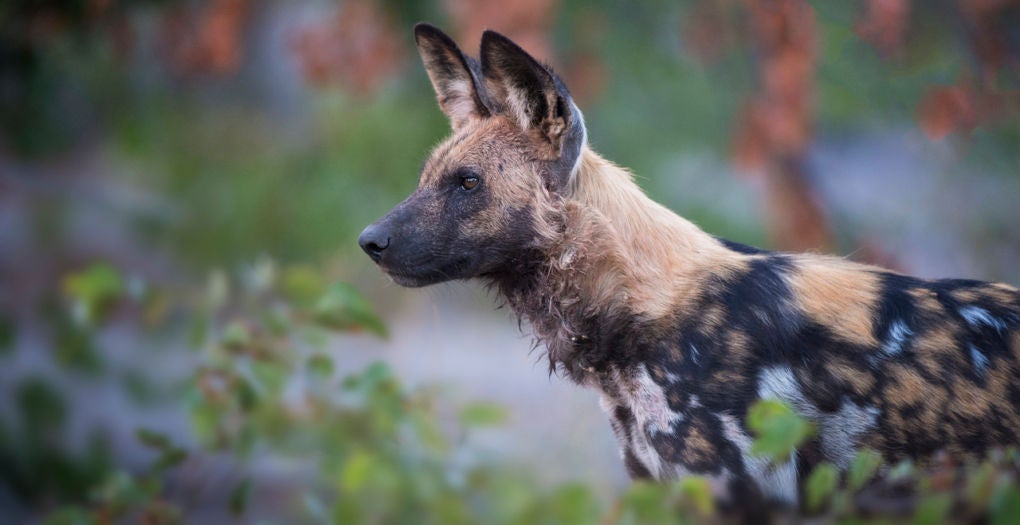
(381, 452)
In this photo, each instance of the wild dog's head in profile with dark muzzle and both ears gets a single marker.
(484, 193)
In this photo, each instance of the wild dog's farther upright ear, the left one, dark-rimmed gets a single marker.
(455, 77)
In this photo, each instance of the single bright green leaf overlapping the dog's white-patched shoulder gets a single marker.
(780, 430)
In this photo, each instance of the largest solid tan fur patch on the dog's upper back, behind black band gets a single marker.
(838, 295)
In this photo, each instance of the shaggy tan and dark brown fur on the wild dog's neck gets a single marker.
(609, 261)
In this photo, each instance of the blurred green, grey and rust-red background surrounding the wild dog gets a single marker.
(181, 182)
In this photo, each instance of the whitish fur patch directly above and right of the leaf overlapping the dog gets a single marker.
(839, 433)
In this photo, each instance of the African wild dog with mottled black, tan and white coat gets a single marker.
(682, 332)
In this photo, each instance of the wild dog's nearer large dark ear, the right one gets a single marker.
(532, 95)
